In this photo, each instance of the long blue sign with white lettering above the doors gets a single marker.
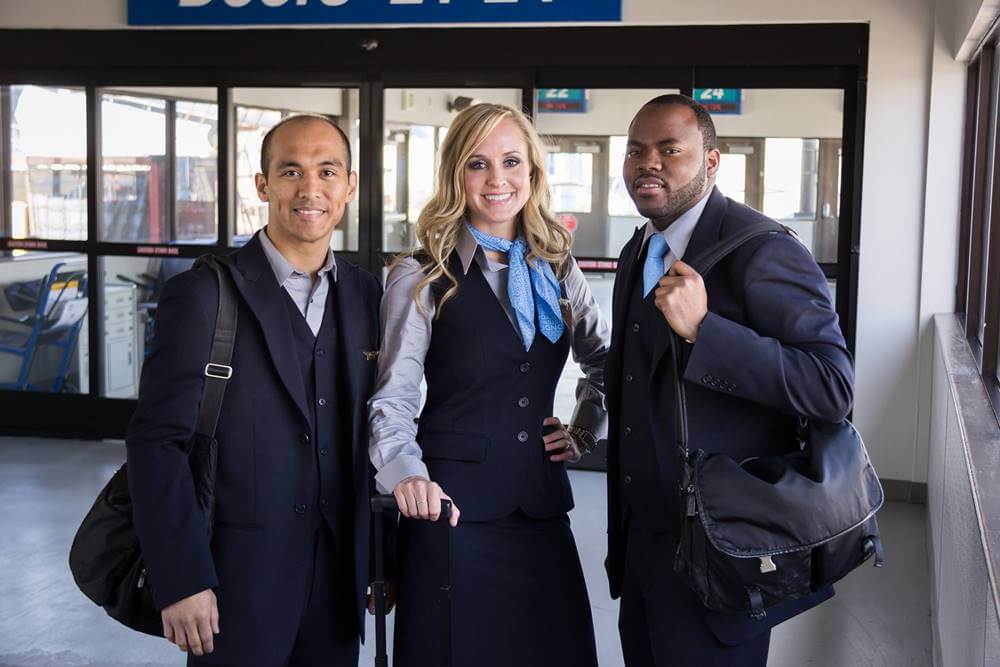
(283, 12)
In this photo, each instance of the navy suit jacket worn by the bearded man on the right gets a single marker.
(769, 350)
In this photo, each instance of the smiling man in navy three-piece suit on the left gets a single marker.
(283, 580)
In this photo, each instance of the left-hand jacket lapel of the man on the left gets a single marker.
(255, 281)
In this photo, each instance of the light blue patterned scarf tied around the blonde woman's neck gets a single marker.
(524, 283)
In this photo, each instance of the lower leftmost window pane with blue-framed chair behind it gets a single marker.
(43, 322)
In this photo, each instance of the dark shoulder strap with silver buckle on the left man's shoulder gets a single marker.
(218, 370)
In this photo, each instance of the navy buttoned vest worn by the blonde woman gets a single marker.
(481, 427)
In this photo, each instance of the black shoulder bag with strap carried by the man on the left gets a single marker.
(105, 558)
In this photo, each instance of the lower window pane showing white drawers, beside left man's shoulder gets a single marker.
(131, 289)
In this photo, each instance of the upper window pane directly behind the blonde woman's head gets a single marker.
(416, 122)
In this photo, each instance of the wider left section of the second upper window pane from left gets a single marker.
(136, 169)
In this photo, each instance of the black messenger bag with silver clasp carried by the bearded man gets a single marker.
(773, 529)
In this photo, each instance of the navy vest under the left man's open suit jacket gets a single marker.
(331, 485)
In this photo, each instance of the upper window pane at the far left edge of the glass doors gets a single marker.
(48, 163)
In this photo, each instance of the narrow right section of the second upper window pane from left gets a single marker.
(197, 175)
